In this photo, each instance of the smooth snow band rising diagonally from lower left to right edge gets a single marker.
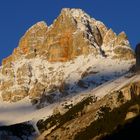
(25, 112)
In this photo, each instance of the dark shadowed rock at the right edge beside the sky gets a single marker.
(137, 51)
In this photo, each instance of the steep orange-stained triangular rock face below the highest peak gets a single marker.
(63, 43)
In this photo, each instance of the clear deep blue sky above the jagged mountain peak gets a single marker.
(16, 16)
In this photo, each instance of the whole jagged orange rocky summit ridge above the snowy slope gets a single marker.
(72, 34)
